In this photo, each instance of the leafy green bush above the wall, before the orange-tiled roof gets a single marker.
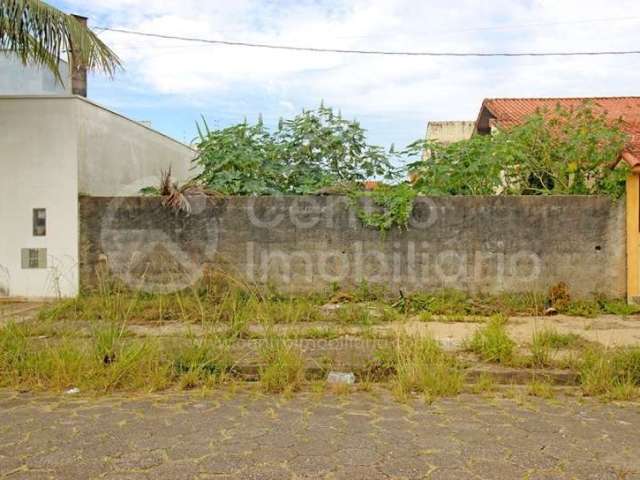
(560, 151)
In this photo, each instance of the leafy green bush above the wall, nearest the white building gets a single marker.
(314, 150)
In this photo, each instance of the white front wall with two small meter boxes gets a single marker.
(38, 169)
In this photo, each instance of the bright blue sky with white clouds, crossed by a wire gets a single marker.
(172, 84)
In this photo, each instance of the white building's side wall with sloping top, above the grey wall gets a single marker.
(118, 156)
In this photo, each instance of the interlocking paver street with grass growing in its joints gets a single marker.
(363, 435)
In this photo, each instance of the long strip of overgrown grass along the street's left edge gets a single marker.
(107, 360)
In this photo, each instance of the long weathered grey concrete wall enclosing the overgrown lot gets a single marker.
(477, 244)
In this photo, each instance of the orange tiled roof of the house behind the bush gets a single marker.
(512, 111)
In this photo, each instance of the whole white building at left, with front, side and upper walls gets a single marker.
(55, 146)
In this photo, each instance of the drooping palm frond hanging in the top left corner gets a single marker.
(40, 34)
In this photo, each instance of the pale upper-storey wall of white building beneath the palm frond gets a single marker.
(17, 79)
